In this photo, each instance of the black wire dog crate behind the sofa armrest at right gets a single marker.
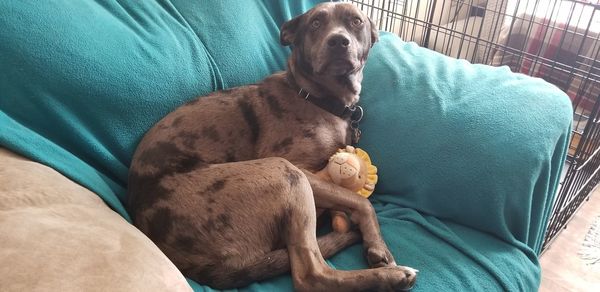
(557, 40)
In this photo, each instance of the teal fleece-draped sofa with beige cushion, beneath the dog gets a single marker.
(469, 156)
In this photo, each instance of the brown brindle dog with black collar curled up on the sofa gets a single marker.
(224, 184)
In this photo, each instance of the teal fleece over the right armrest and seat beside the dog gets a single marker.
(468, 154)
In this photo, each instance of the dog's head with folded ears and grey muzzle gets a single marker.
(331, 39)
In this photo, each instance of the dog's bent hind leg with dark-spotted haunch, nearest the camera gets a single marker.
(236, 214)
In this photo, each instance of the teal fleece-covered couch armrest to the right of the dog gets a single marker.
(472, 144)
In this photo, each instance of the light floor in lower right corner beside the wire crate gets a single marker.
(562, 268)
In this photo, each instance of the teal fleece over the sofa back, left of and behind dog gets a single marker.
(82, 81)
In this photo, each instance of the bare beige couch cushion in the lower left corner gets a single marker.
(58, 236)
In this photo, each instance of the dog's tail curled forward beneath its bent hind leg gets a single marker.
(277, 262)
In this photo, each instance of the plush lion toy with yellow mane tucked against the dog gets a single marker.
(350, 168)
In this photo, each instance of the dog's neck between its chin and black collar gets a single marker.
(344, 88)
